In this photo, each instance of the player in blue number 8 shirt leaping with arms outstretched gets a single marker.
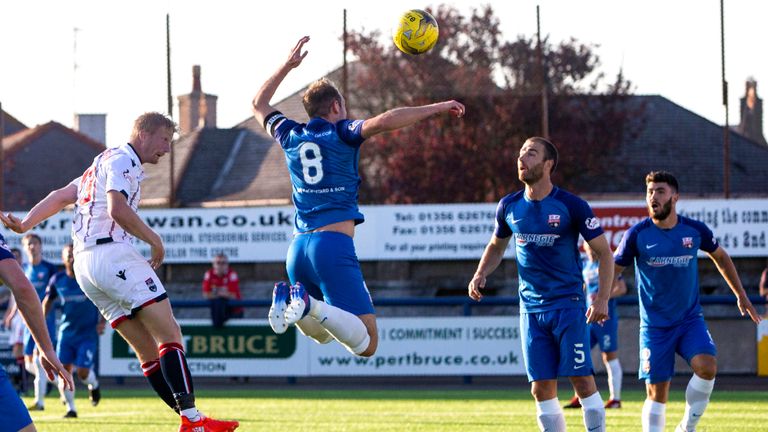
(328, 299)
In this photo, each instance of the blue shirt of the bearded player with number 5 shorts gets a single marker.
(546, 235)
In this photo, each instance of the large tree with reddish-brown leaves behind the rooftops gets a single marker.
(474, 160)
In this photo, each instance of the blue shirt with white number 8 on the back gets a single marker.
(322, 160)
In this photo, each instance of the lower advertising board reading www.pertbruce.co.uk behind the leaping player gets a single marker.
(407, 346)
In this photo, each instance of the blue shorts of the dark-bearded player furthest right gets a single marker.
(658, 346)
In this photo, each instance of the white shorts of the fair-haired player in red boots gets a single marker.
(118, 280)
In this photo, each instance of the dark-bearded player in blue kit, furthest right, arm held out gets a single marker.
(664, 250)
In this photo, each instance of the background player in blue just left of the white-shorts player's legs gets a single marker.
(79, 329)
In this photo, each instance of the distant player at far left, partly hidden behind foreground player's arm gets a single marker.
(39, 272)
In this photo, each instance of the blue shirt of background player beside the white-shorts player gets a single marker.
(79, 315)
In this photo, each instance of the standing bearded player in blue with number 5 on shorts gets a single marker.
(545, 223)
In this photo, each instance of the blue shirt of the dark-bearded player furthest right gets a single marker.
(666, 268)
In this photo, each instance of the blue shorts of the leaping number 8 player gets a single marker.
(326, 264)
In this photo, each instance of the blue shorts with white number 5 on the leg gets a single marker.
(555, 343)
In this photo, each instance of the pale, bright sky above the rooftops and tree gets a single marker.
(671, 48)
